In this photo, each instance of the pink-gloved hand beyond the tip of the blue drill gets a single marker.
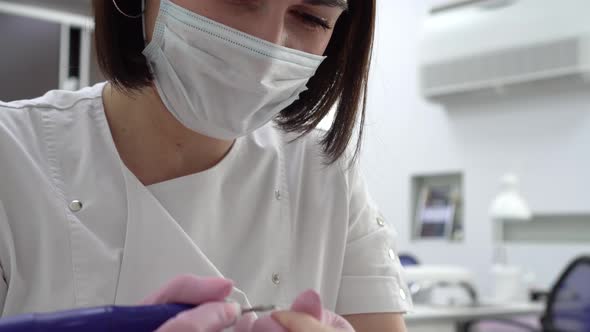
(306, 315)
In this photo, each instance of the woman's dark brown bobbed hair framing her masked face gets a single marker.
(342, 78)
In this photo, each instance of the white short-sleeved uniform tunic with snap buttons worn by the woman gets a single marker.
(78, 229)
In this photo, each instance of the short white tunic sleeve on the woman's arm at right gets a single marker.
(372, 277)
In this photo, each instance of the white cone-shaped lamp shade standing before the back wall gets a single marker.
(509, 204)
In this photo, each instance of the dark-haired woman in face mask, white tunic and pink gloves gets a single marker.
(199, 157)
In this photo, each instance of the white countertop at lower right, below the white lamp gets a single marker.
(427, 313)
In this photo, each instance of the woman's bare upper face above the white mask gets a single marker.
(305, 25)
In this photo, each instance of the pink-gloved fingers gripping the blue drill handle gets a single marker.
(212, 314)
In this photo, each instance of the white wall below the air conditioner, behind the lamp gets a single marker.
(540, 132)
